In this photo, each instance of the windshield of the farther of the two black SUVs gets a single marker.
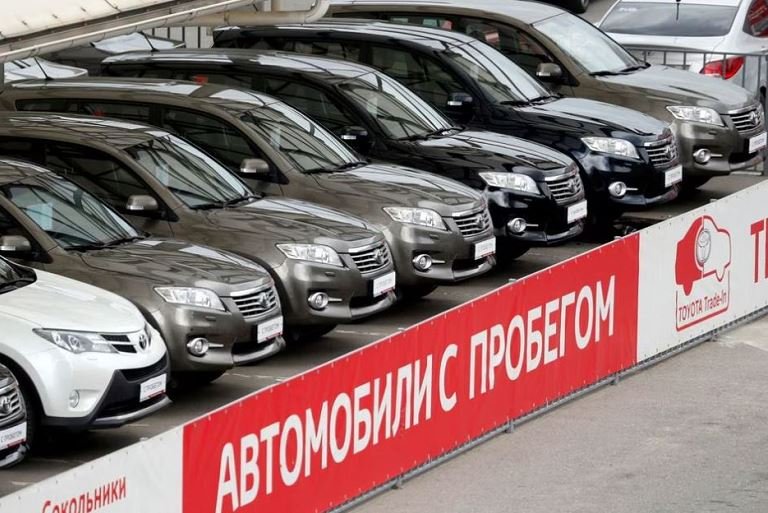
(501, 80)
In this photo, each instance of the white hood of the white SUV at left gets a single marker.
(54, 301)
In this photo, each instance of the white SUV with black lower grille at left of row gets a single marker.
(83, 357)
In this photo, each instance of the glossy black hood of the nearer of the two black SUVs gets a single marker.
(476, 151)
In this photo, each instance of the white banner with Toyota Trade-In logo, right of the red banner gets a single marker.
(701, 270)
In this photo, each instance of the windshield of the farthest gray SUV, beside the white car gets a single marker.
(585, 44)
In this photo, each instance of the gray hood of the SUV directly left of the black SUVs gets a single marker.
(385, 184)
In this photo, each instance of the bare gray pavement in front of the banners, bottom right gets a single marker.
(688, 435)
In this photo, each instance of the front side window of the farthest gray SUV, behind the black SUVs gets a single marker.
(525, 51)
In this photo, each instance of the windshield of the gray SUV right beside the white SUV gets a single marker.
(67, 213)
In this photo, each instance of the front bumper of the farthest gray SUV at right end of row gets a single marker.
(729, 147)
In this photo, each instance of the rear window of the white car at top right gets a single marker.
(672, 19)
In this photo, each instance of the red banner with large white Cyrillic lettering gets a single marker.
(329, 435)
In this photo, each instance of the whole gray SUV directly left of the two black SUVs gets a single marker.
(439, 230)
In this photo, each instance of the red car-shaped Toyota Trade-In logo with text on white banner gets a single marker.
(702, 273)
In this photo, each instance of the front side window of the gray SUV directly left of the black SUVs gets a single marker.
(223, 141)
